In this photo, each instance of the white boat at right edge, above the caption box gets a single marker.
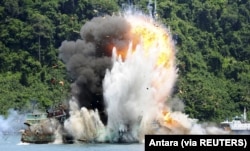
(239, 124)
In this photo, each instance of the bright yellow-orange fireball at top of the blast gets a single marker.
(152, 37)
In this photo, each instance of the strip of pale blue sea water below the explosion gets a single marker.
(13, 143)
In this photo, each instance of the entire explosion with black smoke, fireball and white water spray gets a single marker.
(123, 70)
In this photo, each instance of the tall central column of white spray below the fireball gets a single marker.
(134, 90)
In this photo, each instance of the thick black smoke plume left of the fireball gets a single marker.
(88, 58)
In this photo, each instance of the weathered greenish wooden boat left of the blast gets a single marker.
(44, 126)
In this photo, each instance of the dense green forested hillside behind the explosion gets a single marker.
(212, 38)
